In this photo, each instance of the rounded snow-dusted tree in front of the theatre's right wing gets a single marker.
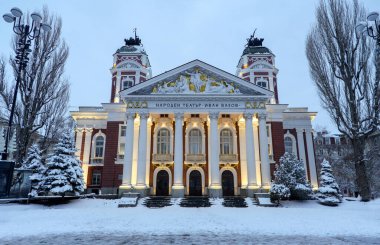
(291, 173)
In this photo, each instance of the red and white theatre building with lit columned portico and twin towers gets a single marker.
(193, 130)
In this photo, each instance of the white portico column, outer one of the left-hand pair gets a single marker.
(127, 167)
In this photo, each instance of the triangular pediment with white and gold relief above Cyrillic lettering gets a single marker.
(196, 78)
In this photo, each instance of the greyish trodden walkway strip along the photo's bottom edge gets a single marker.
(187, 239)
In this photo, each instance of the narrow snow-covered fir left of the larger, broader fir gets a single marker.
(33, 161)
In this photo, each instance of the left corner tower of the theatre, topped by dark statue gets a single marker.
(130, 67)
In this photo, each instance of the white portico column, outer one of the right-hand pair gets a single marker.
(265, 167)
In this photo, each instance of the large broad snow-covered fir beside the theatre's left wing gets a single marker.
(64, 173)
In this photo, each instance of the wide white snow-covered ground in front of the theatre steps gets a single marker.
(102, 216)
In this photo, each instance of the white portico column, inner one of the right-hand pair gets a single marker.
(250, 150)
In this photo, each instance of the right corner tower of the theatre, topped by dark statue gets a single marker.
(257, 65)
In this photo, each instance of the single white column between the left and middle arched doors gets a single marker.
(178, 152)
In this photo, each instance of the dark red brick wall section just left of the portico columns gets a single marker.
(110, 169)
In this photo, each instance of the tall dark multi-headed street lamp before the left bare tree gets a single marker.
(26, 33)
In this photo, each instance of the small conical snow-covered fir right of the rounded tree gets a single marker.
(328, 192)
